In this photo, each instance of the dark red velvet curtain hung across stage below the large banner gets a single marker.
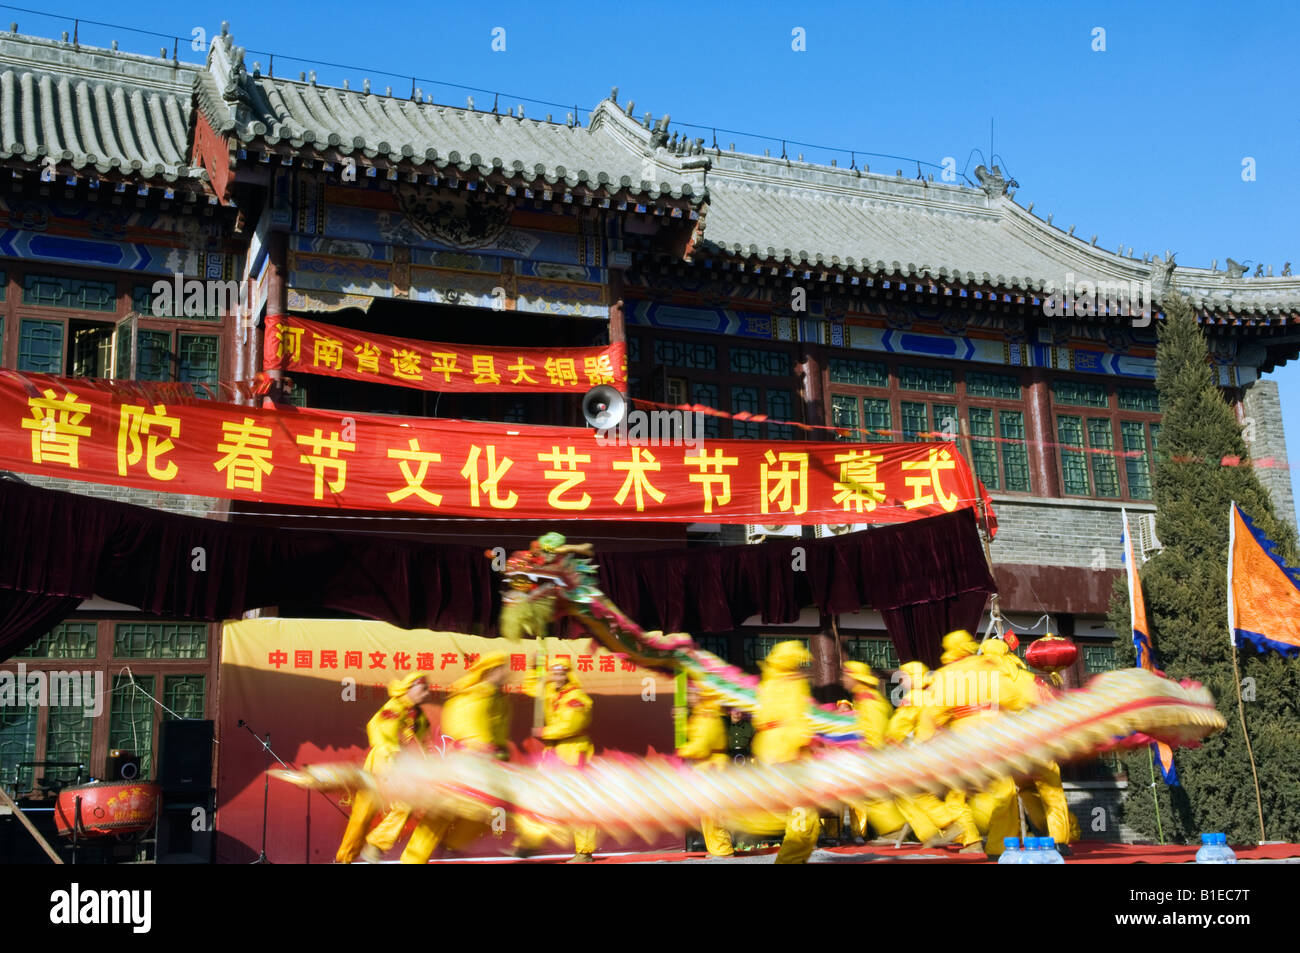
(926, 578)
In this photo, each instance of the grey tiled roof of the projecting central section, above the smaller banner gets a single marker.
(610, 153)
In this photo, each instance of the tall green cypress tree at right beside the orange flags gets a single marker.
(1186, 588)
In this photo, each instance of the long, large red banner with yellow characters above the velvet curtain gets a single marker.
(159, 437)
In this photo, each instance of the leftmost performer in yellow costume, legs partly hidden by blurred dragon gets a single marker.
(397, 724)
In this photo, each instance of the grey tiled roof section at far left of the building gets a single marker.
(96, 110)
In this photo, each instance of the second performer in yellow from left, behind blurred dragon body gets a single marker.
(478, 720)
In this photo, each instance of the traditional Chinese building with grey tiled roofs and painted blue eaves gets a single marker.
(837, 304)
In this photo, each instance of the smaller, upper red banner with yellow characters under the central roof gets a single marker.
(297, 345)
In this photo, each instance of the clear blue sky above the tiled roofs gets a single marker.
(1142, 144)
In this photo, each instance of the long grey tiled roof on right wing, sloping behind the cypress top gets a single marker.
(778, 211)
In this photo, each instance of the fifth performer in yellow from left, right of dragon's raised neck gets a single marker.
(785, 734)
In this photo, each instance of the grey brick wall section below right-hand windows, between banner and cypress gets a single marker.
(1035, 531)
